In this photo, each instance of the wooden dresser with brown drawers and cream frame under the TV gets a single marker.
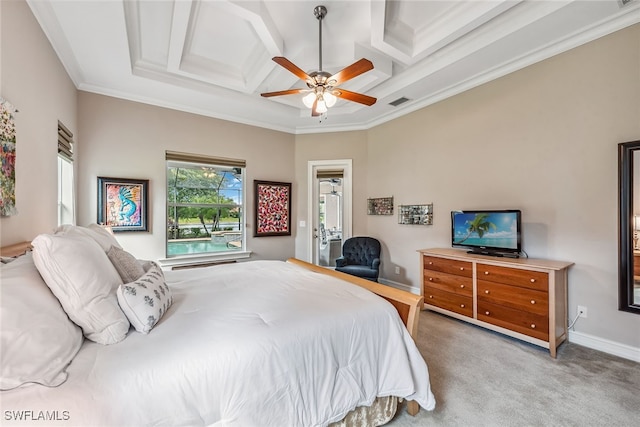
(524, 298)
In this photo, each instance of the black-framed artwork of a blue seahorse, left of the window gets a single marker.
(122, 203)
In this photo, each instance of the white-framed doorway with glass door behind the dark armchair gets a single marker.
(329, 209)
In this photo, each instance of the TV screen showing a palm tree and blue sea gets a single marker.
(486, 230)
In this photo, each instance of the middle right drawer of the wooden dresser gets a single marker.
(515, 297)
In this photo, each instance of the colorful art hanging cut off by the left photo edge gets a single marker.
(7, 159)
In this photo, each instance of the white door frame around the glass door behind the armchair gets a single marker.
(313, 166)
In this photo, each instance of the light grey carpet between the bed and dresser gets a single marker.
(482, 378)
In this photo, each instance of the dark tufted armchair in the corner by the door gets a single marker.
(360, 257)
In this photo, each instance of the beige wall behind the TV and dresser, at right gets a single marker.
(543, 140)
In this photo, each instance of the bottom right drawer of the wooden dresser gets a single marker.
(531, 324)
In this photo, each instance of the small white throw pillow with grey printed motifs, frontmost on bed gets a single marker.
(145, 300)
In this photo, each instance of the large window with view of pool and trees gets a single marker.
(205, 205)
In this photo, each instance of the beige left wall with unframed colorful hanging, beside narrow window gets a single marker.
(33, 79)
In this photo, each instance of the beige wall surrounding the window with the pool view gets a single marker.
(127, 139)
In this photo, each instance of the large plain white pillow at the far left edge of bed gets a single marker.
(37, 339)
